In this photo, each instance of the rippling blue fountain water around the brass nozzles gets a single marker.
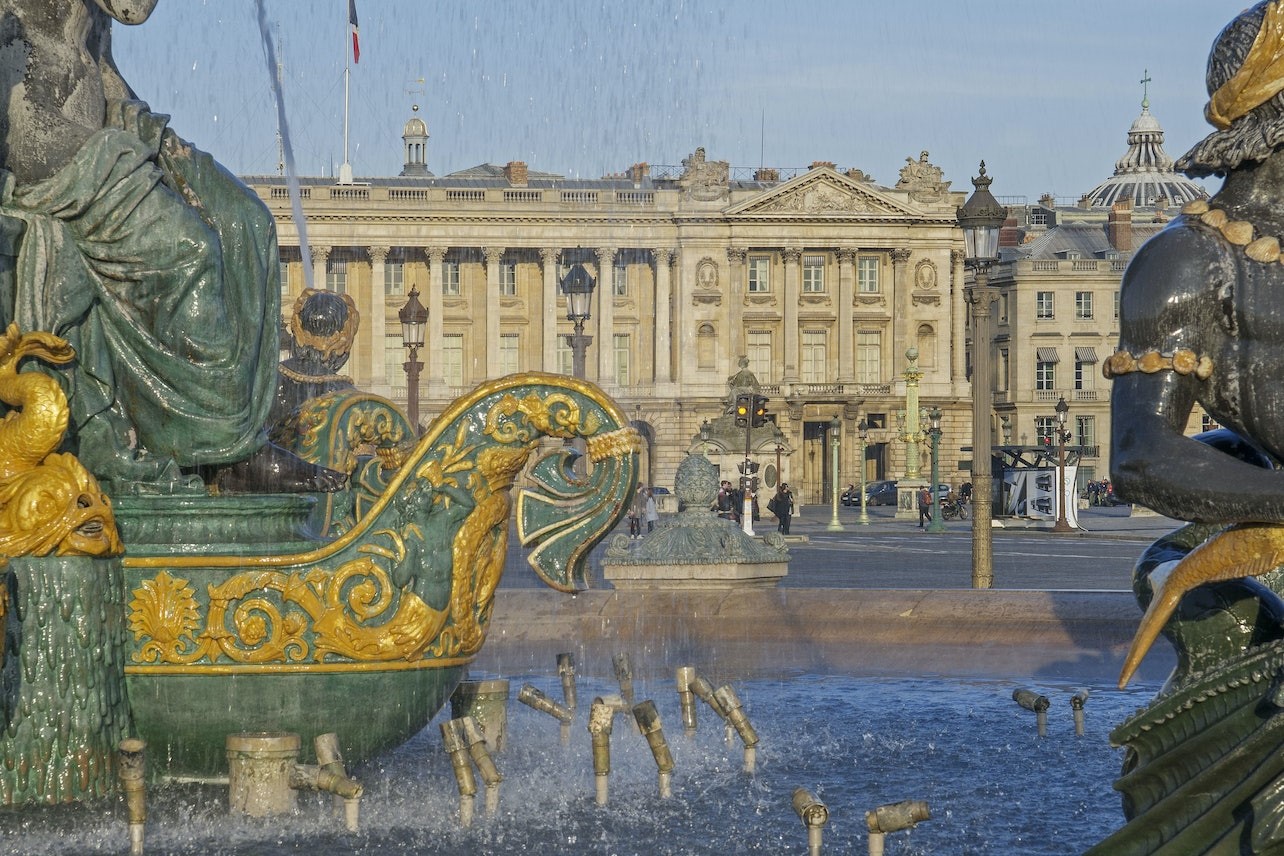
(964, 746)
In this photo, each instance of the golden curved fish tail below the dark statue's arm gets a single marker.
(1250, 550)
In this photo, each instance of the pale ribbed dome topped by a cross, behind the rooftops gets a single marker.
(1145, 175)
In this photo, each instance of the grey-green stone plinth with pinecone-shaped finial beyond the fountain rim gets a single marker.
(695, 549)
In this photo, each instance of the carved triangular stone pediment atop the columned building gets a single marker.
(825, 193)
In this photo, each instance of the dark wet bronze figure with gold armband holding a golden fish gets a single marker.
(1200, 323)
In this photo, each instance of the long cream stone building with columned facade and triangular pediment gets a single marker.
(822, 279)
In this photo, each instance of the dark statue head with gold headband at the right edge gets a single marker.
(1246, 94)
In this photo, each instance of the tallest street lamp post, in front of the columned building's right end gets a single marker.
(980, 219)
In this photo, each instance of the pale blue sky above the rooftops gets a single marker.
(1045, 93)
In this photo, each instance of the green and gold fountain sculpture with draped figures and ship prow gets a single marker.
(168, 570)
